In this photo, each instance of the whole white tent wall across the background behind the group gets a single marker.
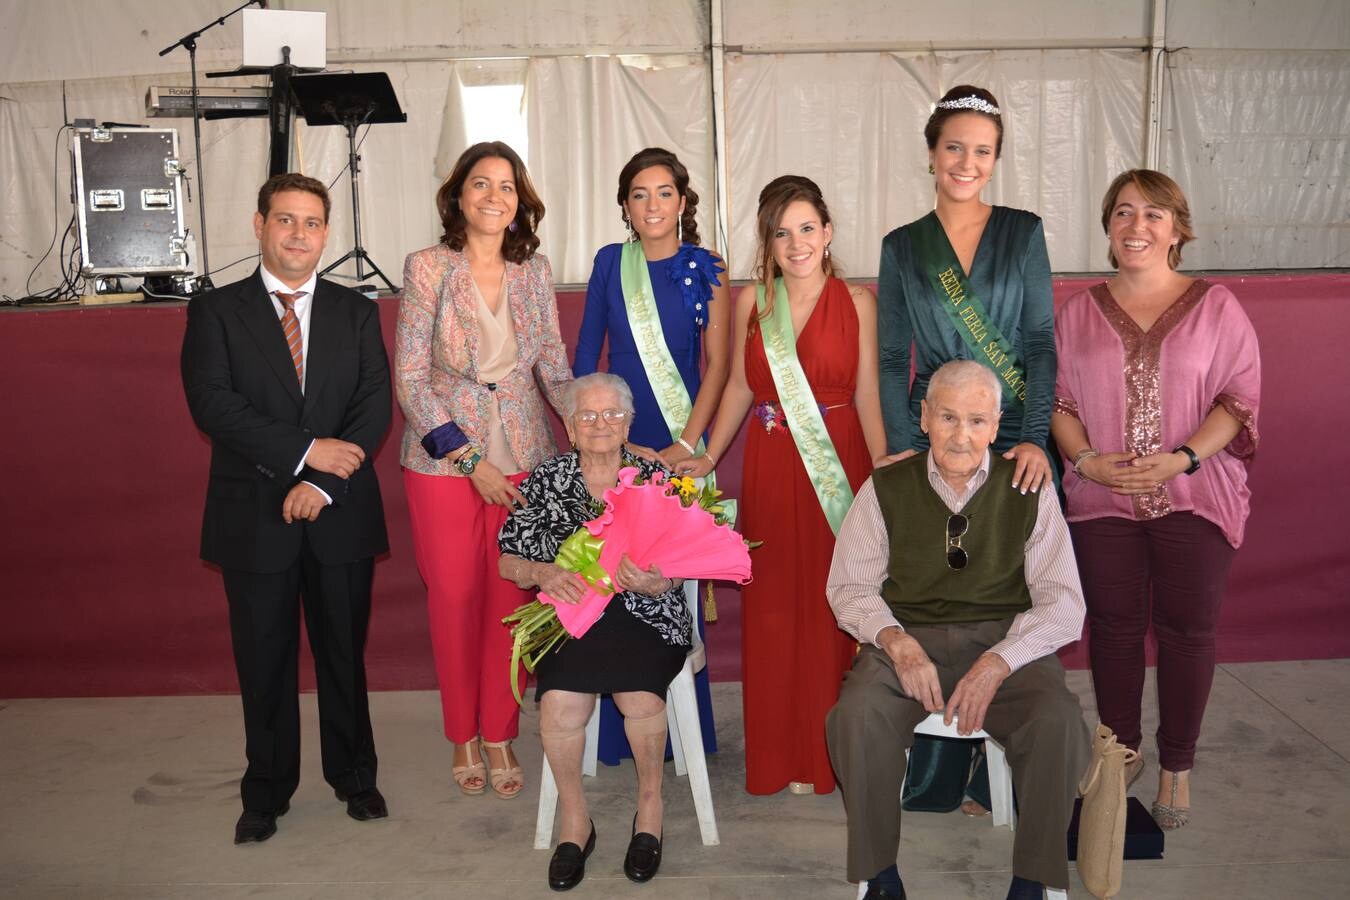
(1255, 118)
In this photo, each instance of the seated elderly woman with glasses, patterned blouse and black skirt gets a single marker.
(634, 652)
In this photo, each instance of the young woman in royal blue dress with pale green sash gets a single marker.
(659, 300)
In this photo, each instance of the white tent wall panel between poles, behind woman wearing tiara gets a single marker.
(855, 125)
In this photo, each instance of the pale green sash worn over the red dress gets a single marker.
(800, 408)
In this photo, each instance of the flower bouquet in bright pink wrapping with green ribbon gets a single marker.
(673, 524)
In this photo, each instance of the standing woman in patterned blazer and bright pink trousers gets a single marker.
(477, 339)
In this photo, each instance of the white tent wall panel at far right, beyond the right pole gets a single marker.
(1258, 141)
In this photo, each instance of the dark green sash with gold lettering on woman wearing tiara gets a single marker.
(971, 320)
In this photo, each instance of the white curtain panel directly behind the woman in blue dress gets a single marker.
(587, 118)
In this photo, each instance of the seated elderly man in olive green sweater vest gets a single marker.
(961, 589)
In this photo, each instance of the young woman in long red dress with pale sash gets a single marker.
(799, 319)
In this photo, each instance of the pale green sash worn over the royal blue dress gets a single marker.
(646, 323)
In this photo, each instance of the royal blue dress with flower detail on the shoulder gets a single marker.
(684, 312)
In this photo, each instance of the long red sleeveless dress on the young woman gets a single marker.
(793, 655)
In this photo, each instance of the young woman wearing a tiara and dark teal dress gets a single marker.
(967, 281)
